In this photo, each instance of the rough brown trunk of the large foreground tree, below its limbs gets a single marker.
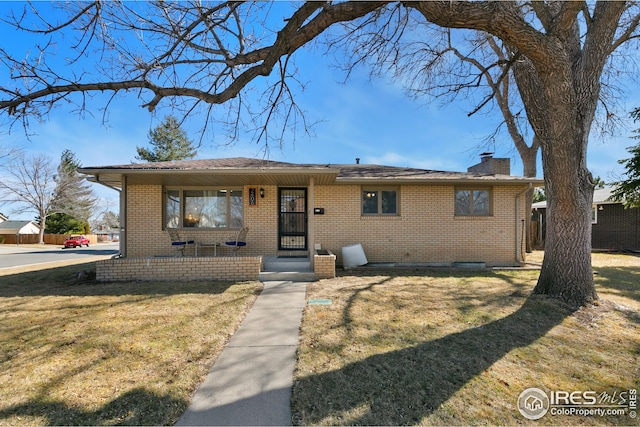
(562, 117)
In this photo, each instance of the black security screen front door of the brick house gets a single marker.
(292, 225)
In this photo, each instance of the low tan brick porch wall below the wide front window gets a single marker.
(179, 268)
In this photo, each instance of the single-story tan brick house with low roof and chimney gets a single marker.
(399, 215)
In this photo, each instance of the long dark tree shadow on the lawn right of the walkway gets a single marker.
(402, 387)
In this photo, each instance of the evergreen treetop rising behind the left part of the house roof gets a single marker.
(168, 142)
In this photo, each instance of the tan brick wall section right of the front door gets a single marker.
(425, 231)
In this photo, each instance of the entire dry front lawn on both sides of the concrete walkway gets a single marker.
(395, 347)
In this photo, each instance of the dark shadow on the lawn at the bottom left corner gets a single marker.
(135, 407)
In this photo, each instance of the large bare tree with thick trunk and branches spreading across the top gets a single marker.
(193, 55)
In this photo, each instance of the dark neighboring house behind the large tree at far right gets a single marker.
(612, 226)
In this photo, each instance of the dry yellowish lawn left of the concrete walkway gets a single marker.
(76, 352)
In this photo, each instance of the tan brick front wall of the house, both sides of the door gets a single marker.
(425, 231)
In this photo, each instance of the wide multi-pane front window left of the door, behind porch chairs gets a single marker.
(203, 208)
